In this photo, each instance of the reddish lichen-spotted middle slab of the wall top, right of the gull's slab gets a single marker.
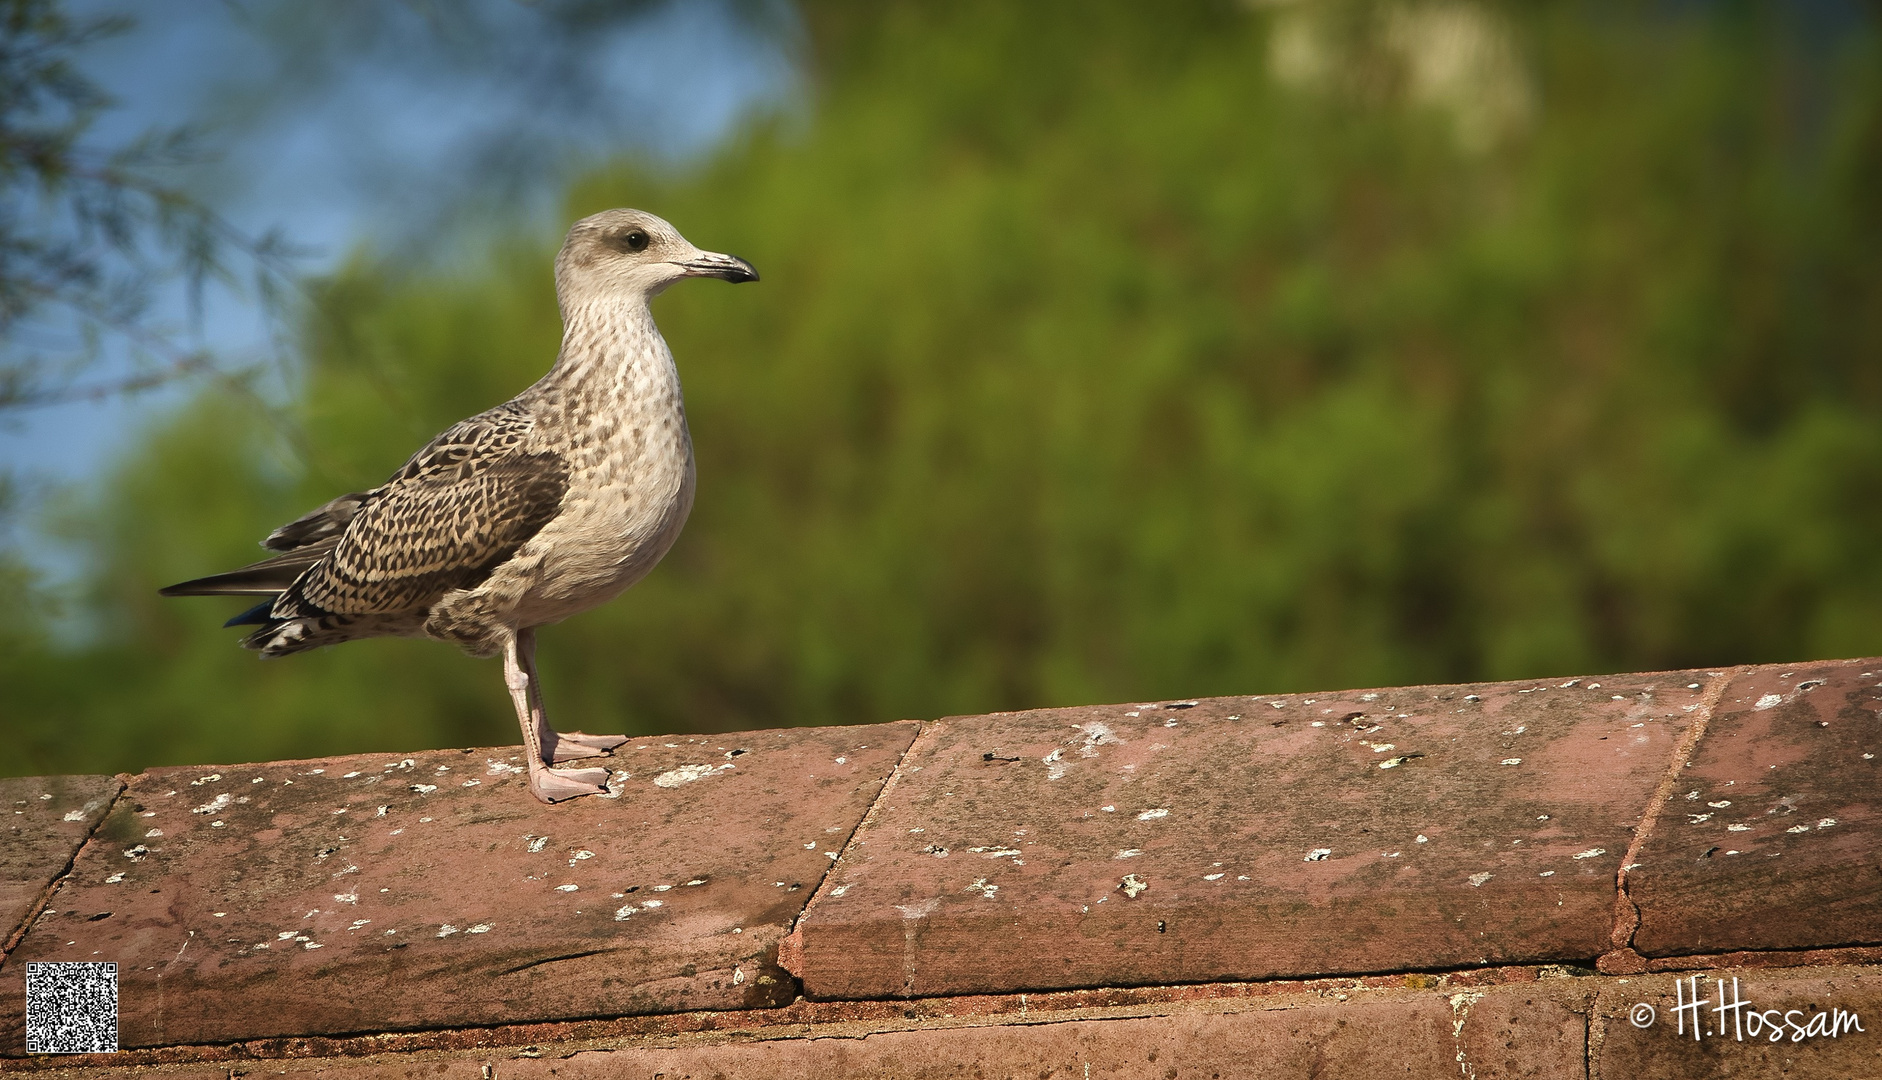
(1268, 833)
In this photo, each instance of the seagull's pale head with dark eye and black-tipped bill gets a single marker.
(635, 253)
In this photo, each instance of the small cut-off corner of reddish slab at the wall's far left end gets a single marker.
(48, 819)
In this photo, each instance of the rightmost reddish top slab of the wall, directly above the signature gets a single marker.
(1774, 833)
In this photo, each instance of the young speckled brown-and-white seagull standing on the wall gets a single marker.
(522, 516)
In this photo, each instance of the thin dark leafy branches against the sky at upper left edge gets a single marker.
(89, 232)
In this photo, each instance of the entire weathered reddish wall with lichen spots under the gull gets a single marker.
(1420, 881)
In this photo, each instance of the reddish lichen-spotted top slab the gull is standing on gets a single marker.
(430, 891)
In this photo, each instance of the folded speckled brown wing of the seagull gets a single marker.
(453, 515)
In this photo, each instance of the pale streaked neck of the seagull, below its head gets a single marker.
(613, 360)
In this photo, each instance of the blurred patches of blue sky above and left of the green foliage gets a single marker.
(370, 140)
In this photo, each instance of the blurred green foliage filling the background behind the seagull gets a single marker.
(1109, 353)
